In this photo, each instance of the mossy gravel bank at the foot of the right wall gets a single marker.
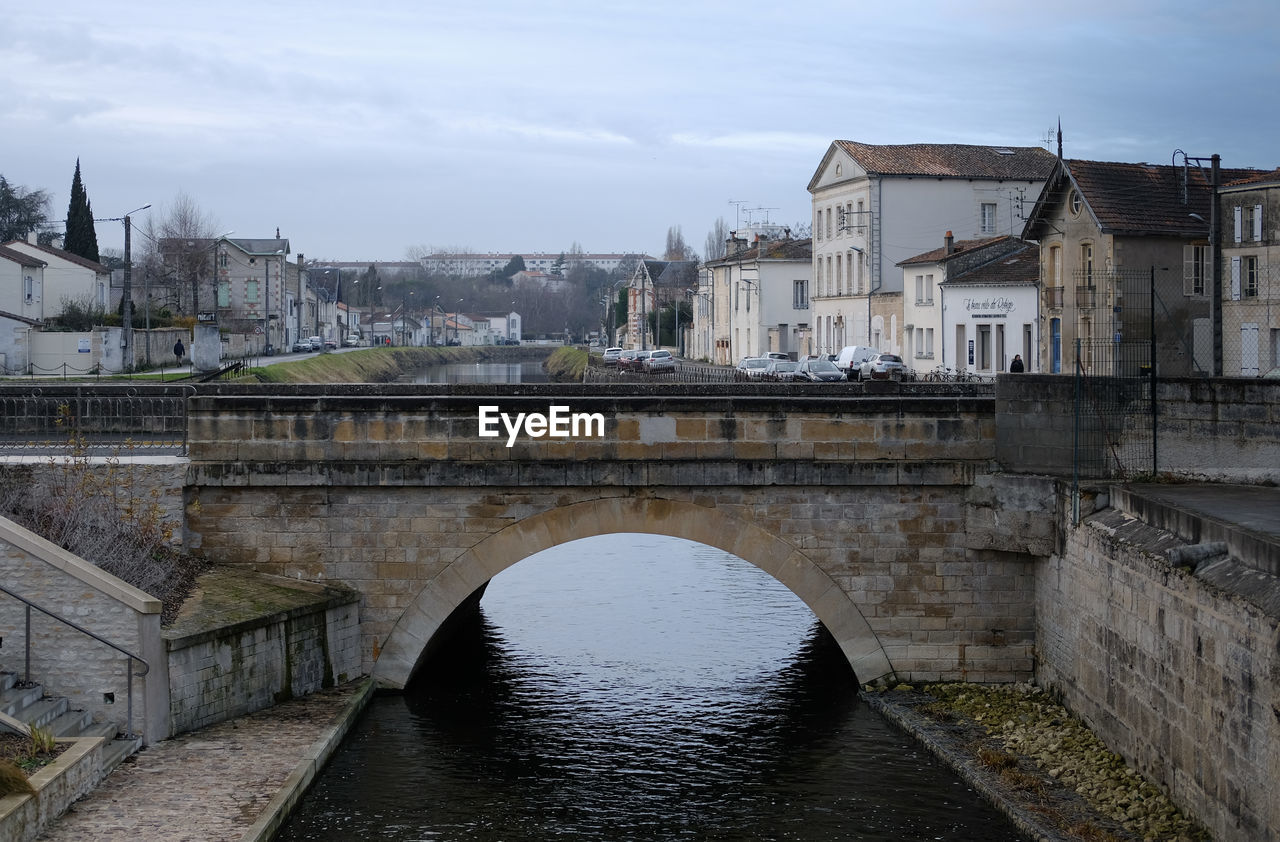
(1041, 767)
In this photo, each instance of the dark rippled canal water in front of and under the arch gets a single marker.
(637, 688)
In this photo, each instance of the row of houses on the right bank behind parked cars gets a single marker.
(964, 257)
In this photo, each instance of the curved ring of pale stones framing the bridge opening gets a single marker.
(409, 640)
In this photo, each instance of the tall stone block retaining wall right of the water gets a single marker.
(1177, 675)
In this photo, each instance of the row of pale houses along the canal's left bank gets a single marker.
(257, 296)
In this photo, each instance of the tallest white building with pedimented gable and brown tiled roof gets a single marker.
(879, 205)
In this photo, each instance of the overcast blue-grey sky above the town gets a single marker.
(363, 131)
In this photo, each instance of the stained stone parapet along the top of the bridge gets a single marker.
(618, 436)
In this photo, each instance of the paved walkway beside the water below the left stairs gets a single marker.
(230, 782)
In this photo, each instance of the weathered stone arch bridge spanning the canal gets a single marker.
(886, 514)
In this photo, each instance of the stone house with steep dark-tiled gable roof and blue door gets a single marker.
(1109, 235)
